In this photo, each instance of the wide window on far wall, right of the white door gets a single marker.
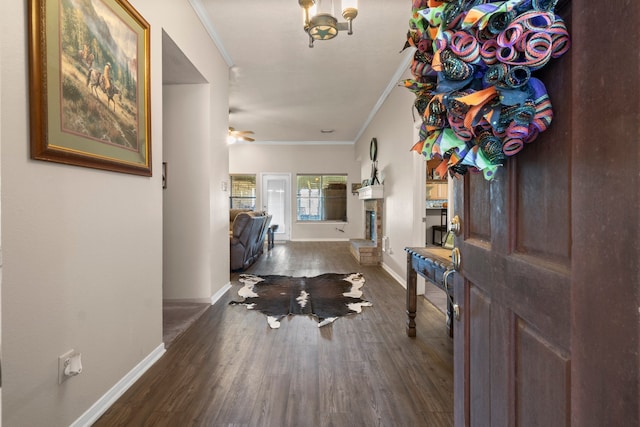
(322, 197)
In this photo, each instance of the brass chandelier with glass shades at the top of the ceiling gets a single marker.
(319, 20)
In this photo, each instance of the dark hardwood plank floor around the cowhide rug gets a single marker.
(231, 369)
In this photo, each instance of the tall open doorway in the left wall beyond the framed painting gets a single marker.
(182, 85)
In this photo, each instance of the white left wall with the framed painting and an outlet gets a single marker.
(82, 248)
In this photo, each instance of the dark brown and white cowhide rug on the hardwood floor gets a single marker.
(326, 297)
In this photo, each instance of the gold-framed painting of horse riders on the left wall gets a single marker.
(89, 84)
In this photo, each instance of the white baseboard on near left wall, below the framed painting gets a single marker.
(100, 407)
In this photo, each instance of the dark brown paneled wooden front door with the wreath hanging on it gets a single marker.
(548, 283)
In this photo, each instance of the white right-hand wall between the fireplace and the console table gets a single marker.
(394, 129)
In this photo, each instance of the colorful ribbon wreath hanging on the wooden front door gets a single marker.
(472, 77)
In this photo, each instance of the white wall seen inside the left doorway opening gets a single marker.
(186, 274)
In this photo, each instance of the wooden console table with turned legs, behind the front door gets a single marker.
(432, 264)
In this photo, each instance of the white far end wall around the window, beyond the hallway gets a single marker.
(308, 159)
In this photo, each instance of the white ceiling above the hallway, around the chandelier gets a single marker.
(286, 92)
